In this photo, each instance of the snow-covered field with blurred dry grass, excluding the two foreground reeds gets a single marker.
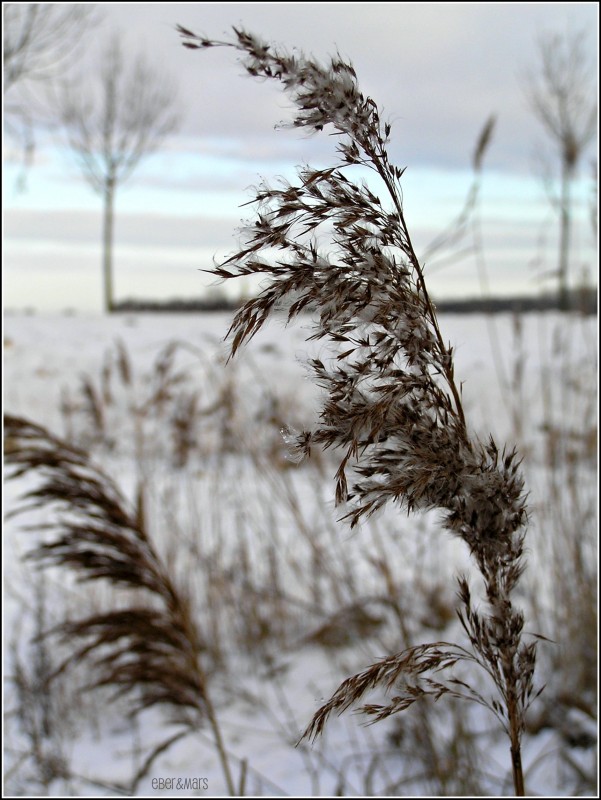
(153, 401)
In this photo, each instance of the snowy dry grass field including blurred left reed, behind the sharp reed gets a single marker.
(236, 601)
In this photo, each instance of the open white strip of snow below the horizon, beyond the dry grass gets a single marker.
(46, 354)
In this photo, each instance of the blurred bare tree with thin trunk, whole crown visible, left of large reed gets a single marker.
(110, 131)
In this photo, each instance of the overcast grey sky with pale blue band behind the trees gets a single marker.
(438, 70)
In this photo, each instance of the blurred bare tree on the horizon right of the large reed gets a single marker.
(562, 94)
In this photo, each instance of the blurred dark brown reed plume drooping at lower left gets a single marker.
(150, 648)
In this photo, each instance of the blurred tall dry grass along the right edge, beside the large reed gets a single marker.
(562, 469)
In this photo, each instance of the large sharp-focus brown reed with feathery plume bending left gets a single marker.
(392, 408)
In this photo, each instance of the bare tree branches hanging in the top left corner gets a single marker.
(40, 42)
